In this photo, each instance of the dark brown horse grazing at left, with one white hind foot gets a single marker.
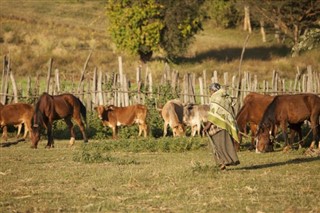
(50, 108)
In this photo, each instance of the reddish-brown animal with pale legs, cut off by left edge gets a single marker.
(16, 114)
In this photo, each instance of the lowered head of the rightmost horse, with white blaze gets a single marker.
(263, 141)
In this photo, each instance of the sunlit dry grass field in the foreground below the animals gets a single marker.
(51, 180)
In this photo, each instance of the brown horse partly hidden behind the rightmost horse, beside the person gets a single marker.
(254, 106)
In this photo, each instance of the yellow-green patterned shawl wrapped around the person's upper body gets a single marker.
(221, 113)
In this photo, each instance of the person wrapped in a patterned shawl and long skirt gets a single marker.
(222, 127)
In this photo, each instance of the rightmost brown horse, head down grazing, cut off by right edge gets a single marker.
(292, 110)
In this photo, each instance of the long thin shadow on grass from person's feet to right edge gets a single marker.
(269, 165)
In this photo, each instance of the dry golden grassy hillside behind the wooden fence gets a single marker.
(33, 31)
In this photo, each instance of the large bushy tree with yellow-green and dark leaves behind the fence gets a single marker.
(146, 26)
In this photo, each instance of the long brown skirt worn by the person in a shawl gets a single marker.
(224, 152)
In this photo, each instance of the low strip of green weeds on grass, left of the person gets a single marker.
(102, 151)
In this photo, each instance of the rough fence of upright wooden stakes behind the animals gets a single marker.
(114, 88)
